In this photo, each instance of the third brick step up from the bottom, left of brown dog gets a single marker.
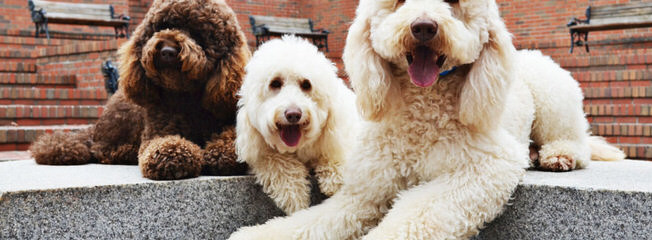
(13, 95)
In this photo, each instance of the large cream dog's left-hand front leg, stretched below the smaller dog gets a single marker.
(369, 186)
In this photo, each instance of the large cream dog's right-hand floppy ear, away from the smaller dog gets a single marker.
(483, 96)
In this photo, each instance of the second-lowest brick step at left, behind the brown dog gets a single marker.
(32, 115)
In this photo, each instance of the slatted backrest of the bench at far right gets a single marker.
(622, 13)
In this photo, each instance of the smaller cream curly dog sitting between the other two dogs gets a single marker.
(294, 115)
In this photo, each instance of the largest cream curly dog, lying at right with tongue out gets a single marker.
(452, 107)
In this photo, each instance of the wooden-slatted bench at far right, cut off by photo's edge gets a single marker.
(610, 17)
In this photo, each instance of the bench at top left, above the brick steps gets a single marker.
(45, 12)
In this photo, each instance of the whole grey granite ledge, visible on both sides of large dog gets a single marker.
(609, 200)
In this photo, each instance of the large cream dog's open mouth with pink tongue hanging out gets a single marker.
(424, 65)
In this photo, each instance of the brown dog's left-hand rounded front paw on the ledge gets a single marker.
(169, 158)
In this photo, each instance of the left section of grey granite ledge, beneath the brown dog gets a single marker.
(115, 202)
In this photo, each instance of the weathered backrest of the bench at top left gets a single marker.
(64, 10)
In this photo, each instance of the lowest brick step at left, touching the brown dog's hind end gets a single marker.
(15, 138)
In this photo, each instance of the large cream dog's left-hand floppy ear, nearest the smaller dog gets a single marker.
(369, 74)
